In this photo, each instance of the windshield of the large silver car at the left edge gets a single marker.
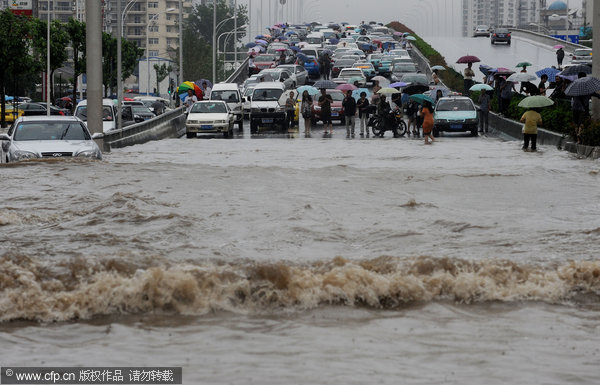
(47, 130)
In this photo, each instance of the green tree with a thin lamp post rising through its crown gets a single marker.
(59, 39)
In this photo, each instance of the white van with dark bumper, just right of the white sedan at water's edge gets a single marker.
(265, 109)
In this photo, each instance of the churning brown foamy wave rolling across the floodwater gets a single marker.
(31, 289)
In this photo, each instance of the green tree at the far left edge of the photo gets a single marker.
(14, 51)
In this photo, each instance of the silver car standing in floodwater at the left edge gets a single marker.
(57, 137)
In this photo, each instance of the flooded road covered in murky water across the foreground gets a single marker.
(307, 260)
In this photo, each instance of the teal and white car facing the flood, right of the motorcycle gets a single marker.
(455, 114)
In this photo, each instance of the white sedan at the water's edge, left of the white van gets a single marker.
(210, 117)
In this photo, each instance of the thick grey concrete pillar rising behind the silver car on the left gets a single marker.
(93, 42)
